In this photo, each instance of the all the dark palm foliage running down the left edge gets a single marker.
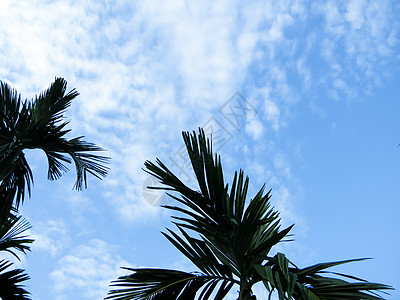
(34, 124)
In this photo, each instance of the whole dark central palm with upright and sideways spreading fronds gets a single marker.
(228, 239)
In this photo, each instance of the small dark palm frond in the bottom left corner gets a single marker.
(10, 282)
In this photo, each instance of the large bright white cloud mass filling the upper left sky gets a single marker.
(141, 70)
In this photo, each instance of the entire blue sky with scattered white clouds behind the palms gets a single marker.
(301, 95)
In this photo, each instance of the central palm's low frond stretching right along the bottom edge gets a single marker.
(311, 283)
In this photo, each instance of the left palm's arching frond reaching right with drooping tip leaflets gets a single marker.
(47, 133)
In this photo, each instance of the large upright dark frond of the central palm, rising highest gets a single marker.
(239, 232)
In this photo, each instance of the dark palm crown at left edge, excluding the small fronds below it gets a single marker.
(39, 124)
